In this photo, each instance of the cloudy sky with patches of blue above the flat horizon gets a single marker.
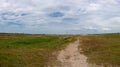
(60, 16)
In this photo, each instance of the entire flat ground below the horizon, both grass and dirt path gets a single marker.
(30, 50)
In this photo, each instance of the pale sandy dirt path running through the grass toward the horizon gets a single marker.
(71, 57)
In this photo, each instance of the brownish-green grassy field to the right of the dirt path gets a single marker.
(102, 49)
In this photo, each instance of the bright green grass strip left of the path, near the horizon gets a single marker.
(42, 41)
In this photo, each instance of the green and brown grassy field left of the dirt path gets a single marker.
(25, 50)
